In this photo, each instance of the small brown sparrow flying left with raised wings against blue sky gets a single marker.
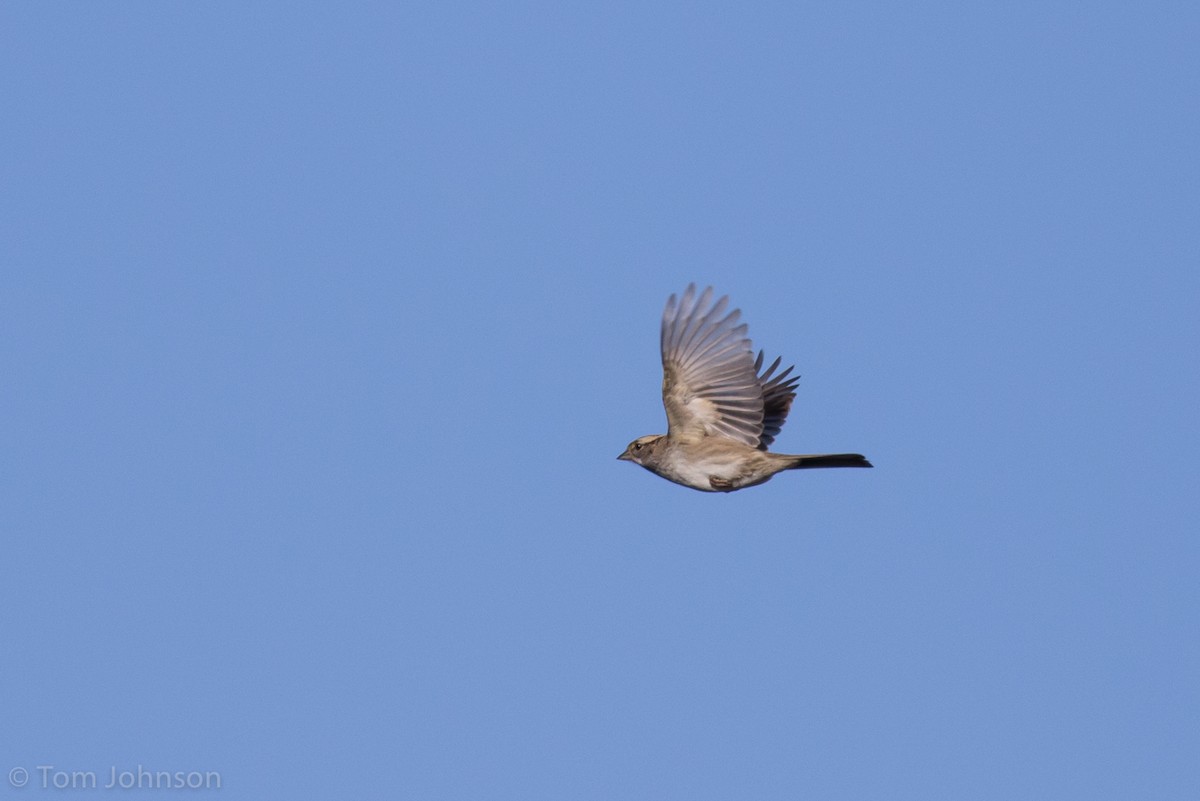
(724, 411)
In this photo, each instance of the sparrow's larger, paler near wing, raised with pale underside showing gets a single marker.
(710, 384)
